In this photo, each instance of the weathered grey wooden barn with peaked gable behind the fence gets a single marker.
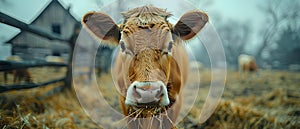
(54, 17)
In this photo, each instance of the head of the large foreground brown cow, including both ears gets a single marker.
(147, 42)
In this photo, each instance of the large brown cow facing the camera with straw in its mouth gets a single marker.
(152, 64)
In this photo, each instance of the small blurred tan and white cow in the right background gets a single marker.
(247, 64)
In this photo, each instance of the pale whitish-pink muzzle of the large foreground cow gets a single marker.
(147, 94)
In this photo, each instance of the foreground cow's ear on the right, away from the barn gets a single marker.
(190, 24)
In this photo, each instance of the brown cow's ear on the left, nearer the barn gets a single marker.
(102, 26)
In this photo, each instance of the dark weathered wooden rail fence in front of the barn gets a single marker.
(10, 65)
